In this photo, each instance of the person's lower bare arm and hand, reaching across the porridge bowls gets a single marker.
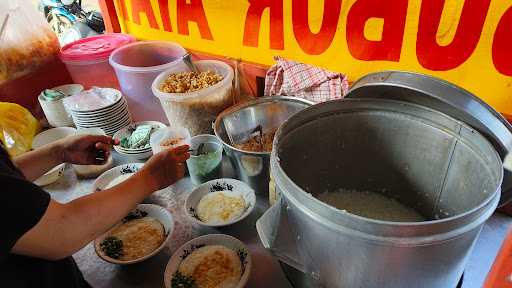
(66, 228)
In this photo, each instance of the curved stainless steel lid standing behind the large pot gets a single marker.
(444, 97)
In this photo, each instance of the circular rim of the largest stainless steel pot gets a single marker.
(281, 176)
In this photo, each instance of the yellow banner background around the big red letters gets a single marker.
(226, 20)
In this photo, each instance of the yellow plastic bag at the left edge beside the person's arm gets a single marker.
(17, 128)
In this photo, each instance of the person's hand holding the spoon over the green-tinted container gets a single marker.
(165, 168)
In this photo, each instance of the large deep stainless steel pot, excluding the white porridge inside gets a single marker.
(423, 158)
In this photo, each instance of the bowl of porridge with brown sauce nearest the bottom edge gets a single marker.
(209, 261)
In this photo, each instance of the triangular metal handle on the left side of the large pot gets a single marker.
(276, 235)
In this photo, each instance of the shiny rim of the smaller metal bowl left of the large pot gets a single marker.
(250, 103)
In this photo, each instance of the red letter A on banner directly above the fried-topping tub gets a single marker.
(194, 12)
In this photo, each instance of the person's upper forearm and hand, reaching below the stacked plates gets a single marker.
(35, 163)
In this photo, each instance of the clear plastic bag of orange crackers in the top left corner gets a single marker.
(27, 41)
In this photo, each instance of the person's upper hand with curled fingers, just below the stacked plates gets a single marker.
(85, 149)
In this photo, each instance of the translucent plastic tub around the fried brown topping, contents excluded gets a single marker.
(197, 110)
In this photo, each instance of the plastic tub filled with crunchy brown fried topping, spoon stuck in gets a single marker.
(194, 99)
